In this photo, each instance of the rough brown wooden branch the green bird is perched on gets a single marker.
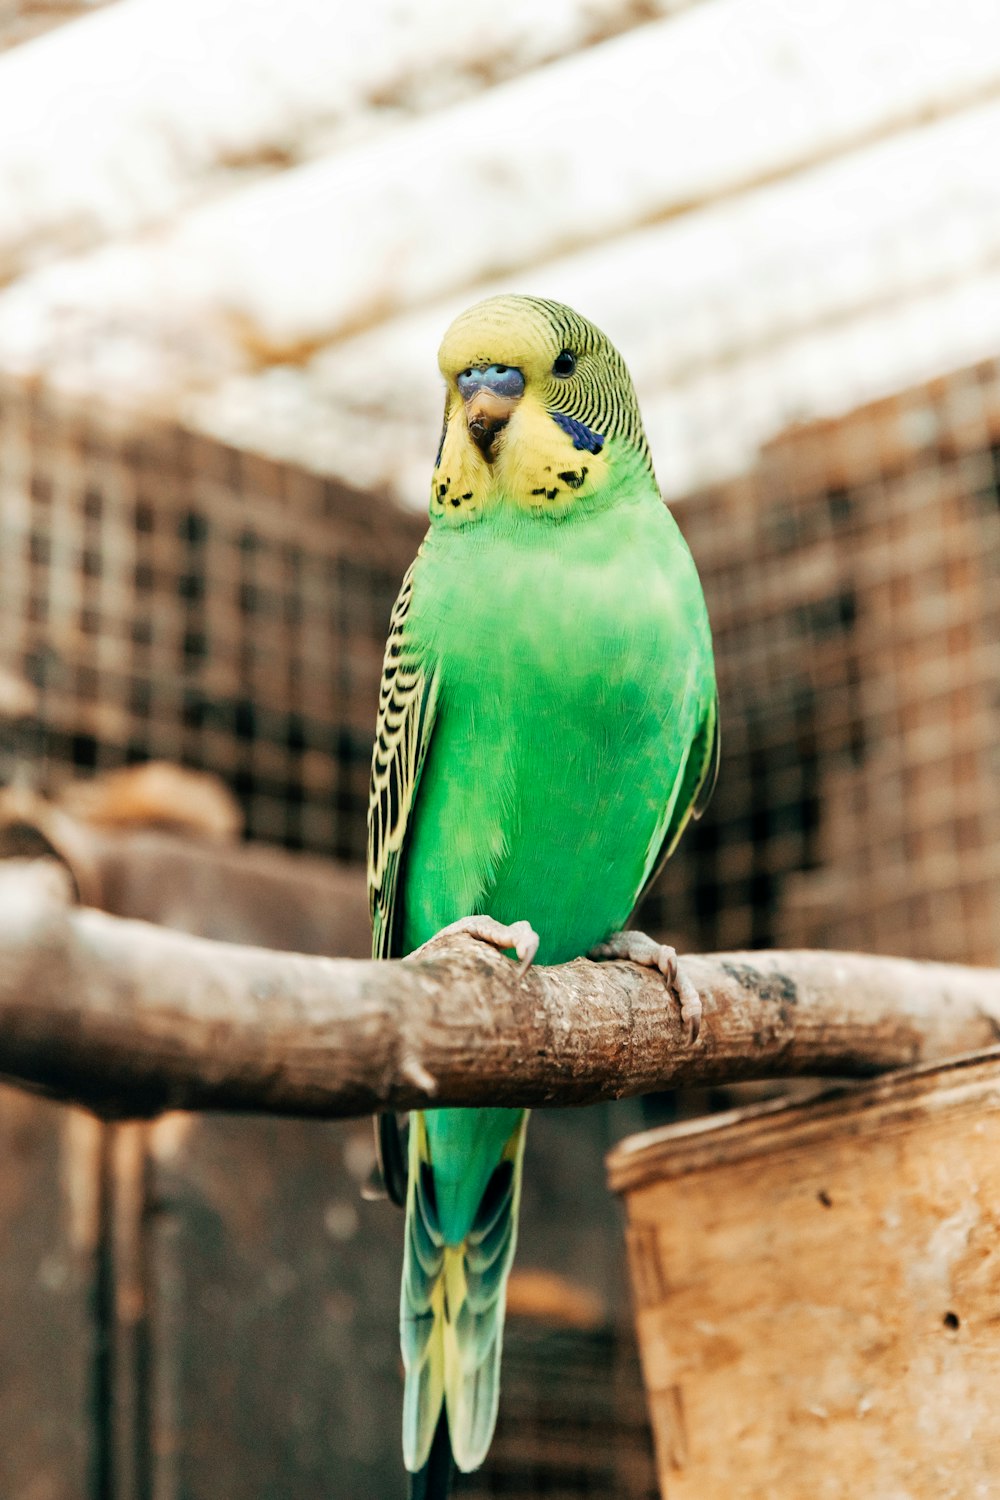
(131, 1019)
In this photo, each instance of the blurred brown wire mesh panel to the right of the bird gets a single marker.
(854, 583)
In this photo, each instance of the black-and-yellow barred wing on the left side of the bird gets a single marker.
(406, 722)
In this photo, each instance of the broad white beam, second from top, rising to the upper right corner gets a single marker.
(692, 110)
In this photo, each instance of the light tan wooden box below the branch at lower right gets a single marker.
(818, 1292)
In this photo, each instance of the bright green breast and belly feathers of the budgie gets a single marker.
(575, 667)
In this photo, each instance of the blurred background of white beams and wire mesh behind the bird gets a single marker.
(230, 242)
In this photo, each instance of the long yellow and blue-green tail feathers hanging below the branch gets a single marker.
(452, 1313)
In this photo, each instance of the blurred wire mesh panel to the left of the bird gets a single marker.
(163, 595)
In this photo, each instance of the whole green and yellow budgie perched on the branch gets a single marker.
(548, 725)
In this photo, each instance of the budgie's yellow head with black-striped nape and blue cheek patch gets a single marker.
(540, 413)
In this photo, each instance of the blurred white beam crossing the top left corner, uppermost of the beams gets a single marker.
(98, 142)
